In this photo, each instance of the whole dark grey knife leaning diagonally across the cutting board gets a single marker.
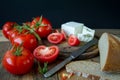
(73, 55)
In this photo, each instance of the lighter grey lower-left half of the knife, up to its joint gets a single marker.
(57, 67)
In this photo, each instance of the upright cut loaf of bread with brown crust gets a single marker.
(109, 48)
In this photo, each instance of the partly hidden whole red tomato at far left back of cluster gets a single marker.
(7, 27)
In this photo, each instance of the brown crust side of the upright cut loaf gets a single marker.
(113, 58)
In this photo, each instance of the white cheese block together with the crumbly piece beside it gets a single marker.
(82, 32)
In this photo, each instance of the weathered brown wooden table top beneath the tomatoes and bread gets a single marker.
(33, 75)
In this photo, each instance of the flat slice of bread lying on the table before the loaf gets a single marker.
(90, 70)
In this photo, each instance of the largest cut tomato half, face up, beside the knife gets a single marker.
(46, 54)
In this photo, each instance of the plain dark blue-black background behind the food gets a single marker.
(93, 13)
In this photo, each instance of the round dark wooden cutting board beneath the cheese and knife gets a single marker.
(65, 50)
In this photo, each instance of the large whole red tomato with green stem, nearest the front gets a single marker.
(19, 62)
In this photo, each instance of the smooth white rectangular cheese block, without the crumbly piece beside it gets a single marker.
(72, 28)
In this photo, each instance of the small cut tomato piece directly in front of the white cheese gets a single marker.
(73, 40)
